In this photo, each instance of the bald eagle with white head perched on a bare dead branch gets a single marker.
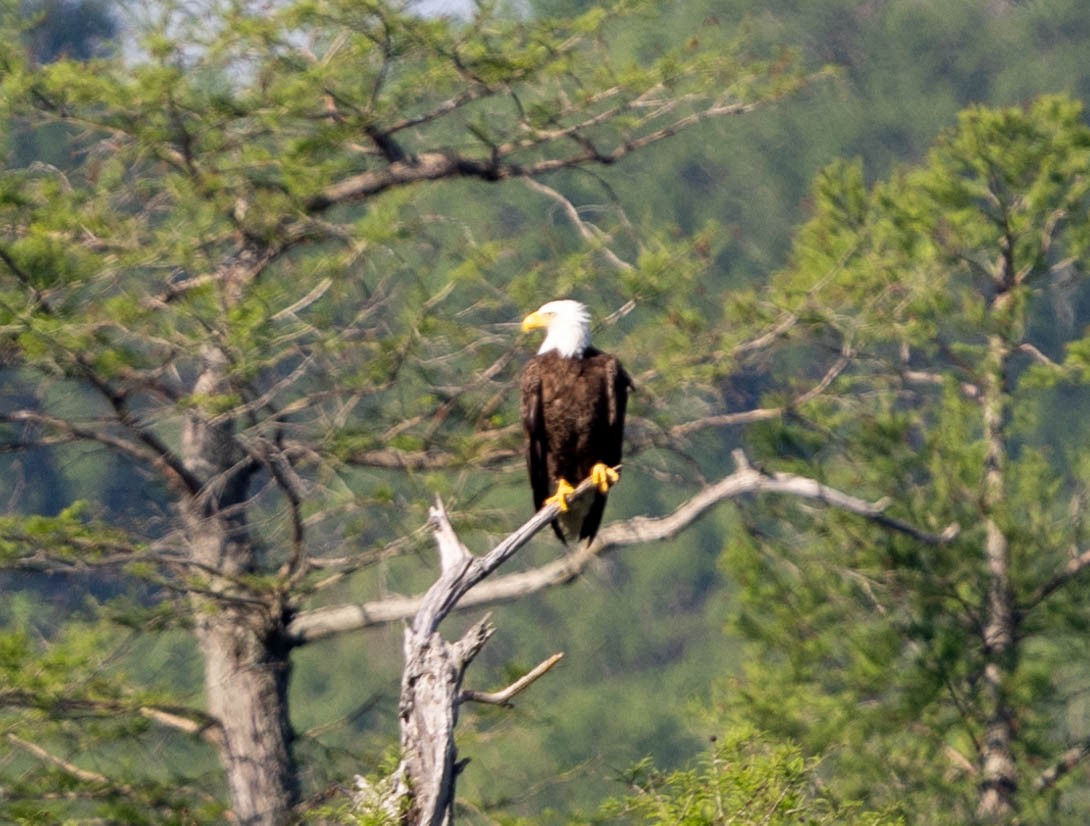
(574, 400)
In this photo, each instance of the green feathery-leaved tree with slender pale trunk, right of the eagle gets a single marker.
(941, 294)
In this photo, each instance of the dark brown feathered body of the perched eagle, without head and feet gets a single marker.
(574, 415)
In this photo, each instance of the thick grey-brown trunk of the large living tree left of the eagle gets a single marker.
(241, 631)
